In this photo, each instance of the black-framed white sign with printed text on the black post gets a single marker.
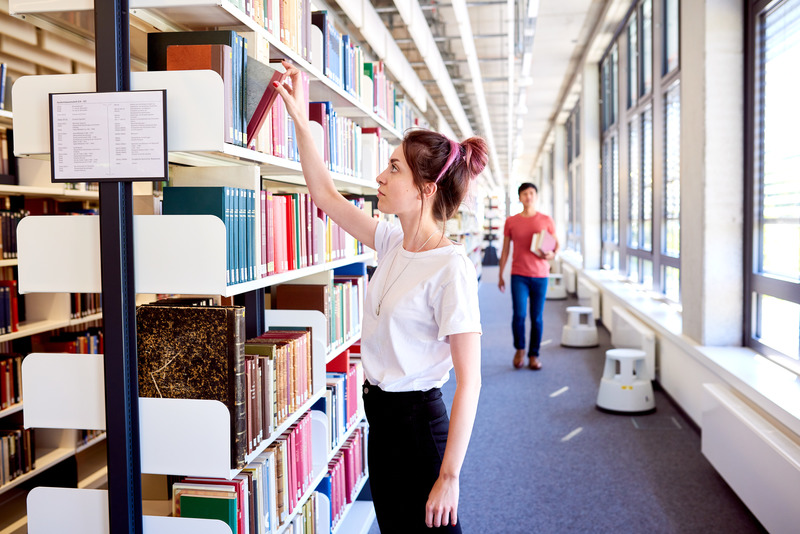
(117, 136)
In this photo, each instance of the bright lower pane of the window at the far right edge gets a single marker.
(780, 325)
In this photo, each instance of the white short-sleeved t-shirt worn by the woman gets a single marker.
(431, 295)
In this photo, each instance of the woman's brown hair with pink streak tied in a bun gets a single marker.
(433, 158)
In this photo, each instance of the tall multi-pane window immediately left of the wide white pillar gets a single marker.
(640, 208)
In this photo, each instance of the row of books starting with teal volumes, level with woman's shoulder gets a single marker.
(293, 232)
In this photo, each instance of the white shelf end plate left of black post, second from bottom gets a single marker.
(64, 391)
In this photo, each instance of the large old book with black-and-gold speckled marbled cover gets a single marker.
(195, 352)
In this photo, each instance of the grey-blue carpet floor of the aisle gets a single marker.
(543, 459)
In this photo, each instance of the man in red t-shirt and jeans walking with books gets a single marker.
(533, 236)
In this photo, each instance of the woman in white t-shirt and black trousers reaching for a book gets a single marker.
(421, 319)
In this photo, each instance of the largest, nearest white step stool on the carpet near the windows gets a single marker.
(629, 390)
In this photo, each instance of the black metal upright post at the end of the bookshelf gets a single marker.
(112, 55)
